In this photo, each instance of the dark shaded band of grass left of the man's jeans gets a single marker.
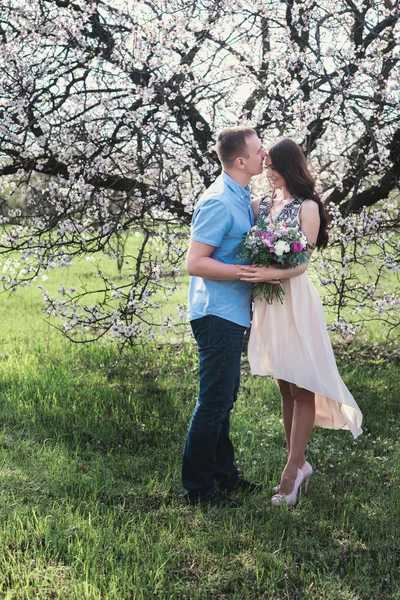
(93, 396)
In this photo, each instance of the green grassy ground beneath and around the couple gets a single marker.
(90, 492)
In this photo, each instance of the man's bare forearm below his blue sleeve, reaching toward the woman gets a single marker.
(200, 263)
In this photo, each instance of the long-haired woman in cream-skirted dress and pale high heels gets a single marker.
(290, 341)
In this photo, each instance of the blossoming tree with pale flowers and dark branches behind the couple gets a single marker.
(109, 111)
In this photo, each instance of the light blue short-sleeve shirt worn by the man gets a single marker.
(221, 218)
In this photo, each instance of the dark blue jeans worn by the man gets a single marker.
(208, 458)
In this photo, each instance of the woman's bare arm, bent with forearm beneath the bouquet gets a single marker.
(309, 224)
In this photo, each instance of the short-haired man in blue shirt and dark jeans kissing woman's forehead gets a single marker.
(219, 312)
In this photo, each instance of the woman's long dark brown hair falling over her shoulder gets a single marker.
(289, 161)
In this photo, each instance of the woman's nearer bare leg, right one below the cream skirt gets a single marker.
(301, 429)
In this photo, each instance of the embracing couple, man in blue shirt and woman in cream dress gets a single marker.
(288, 340)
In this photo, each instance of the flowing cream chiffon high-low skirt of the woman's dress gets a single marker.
(290, 341)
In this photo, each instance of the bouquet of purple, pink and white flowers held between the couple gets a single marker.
(278, 245)
